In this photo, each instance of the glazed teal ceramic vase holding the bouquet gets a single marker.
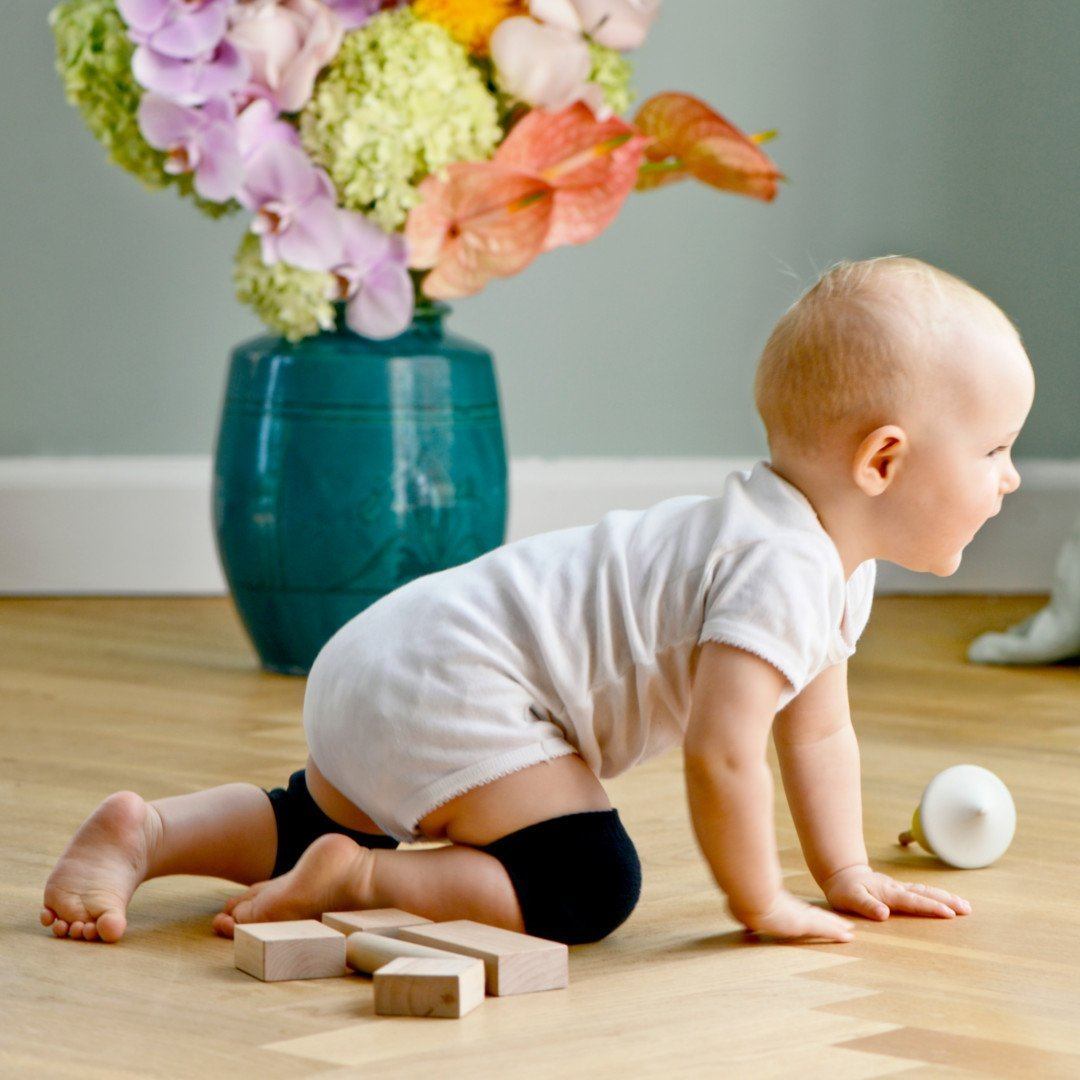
(346, 468)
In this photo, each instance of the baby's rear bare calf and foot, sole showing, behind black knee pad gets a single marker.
(225, 832)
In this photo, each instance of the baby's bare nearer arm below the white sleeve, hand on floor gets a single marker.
(730, 789)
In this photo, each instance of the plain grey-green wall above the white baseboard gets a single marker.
(937, 128)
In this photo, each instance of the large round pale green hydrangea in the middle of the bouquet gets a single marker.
(400, 101)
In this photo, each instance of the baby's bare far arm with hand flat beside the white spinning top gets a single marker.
(819, 763)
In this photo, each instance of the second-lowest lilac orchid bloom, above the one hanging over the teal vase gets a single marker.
(295, 213)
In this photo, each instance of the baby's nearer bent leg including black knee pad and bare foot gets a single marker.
(461, 881)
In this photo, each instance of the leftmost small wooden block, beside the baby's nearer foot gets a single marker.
(303, 949)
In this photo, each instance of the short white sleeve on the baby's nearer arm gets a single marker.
(773, 599)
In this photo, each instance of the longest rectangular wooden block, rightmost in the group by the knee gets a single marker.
(515, 964)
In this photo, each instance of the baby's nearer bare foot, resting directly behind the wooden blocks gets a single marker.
(331, 876)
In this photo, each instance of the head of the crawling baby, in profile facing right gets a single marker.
(892, 394)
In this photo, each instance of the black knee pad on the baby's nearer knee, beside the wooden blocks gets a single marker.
(577, 877)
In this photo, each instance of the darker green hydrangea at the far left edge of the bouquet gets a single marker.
(94, 62)
